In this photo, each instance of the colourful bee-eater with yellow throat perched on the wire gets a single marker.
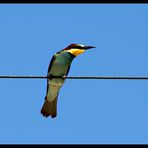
(59, 66)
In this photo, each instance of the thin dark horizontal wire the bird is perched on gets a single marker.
(79, 77)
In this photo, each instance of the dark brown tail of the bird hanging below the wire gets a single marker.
(49, 108)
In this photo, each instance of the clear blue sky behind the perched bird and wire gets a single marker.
(89, 111)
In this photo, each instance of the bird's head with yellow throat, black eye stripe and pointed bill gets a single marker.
(77, 49)
